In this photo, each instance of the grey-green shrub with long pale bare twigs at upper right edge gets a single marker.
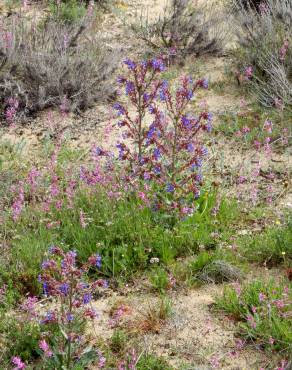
(264, 55)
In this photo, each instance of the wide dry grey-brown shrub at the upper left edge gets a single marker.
(51, 65)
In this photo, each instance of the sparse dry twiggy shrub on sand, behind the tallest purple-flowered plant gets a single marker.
(184, 29)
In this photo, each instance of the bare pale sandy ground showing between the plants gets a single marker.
(194, 334)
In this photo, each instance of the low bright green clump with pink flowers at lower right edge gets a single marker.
(264, 312)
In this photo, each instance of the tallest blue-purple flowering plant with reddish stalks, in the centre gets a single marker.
(162, 143)
